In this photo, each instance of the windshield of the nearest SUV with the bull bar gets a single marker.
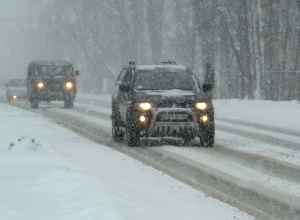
(165, 80)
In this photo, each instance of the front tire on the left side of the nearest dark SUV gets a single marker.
(132, 135)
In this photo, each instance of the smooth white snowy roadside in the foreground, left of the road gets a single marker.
(48, 172)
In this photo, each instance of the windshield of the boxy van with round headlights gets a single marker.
(53, 71)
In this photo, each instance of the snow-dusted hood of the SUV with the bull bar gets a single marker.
(172, 98)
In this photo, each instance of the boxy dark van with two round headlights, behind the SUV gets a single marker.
(51, 80)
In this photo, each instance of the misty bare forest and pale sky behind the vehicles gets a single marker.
(252, 45)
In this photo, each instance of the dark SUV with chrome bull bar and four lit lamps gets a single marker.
(161, 101)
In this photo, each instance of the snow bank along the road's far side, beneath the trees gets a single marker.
(283, 114)
